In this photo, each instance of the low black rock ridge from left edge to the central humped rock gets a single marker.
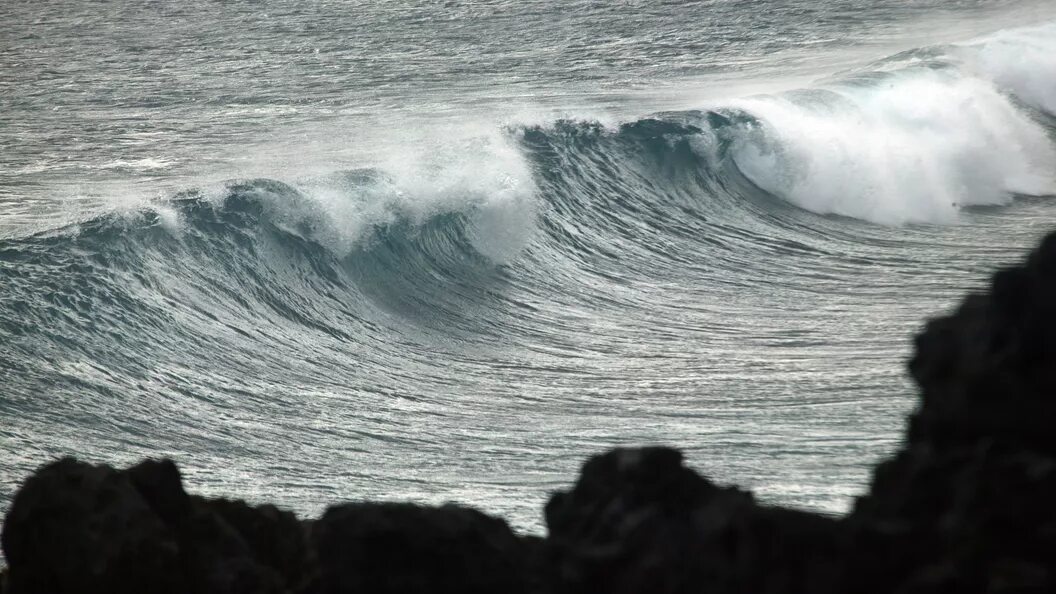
(78, 528)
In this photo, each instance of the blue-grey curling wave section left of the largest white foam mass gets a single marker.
(332, 256)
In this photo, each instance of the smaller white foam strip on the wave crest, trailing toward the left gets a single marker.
(484, 178)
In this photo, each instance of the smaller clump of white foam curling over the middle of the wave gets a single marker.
(484, 177)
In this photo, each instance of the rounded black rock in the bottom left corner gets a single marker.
(76, 528)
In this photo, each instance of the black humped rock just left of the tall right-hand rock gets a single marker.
(639, 522)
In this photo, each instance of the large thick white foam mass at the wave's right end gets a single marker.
(911, 146)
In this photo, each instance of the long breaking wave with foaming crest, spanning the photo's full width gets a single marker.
(913, 139)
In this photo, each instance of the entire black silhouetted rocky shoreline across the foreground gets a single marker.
(966, 507)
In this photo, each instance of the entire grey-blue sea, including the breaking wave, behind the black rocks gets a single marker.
(444, 251)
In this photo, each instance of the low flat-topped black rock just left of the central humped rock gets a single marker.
(405, 549)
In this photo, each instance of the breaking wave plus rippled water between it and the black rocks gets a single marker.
(495, 310)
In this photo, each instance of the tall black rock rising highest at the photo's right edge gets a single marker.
(968, 506)
